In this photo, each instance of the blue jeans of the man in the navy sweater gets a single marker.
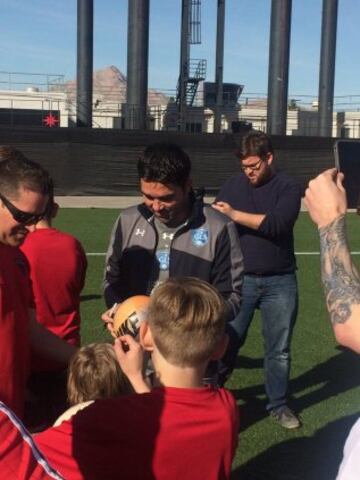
(276, 297)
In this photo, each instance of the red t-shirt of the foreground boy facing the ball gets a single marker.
(170, 433)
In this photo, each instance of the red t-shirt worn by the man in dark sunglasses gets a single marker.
(15, 300)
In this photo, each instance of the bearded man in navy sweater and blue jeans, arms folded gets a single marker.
(265, 205)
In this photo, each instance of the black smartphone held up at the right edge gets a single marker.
(347, 161)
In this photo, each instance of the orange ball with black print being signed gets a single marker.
(130, 314)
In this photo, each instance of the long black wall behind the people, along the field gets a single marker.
(103, 161)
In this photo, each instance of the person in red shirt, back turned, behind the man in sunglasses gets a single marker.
(57, 267)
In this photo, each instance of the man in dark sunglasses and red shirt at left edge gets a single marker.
(24, 193)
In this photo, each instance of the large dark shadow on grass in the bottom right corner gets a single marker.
(307, 458)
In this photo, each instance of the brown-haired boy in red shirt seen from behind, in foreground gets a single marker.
(180, 429)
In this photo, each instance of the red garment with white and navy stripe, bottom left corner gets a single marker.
(20, 458)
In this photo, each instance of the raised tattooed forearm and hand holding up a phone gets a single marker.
(325, 199)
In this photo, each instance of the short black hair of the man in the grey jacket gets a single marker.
(166, 163)
